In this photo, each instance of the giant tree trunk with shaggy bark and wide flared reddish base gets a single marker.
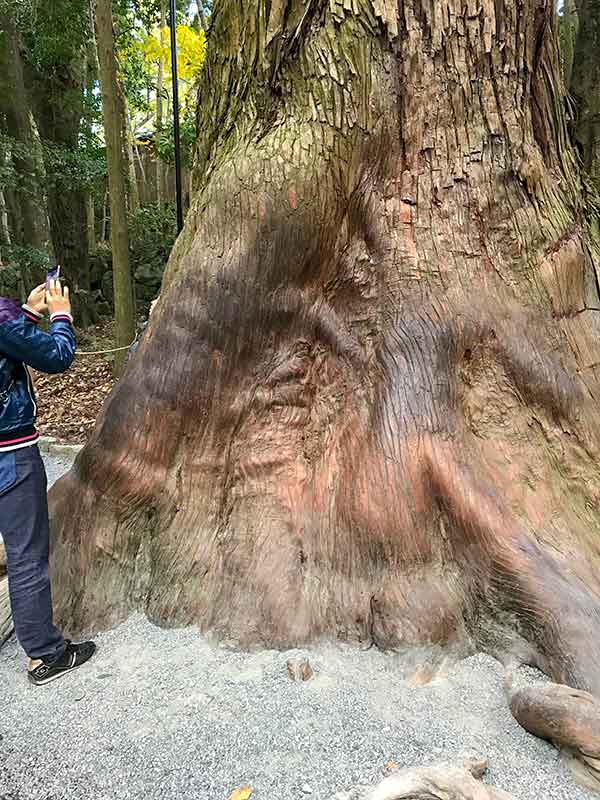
(366, 406)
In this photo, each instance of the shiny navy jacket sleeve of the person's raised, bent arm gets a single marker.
(51, 352)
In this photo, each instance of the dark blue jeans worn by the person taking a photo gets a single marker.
(24, 528)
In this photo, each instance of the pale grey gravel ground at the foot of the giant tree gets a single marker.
(166, 714)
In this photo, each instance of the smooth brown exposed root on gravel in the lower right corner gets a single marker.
(567, 717)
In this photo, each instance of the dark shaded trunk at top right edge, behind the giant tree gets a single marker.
(585, 86)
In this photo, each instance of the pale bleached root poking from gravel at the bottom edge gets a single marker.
(441, 782)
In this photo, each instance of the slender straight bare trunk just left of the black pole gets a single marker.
(114, 127)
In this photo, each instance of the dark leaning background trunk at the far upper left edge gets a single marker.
(16, 108)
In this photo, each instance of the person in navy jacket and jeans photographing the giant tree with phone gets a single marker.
(23, 483)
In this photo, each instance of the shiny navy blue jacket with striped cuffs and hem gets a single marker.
(21, 344)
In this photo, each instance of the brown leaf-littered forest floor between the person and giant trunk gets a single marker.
(69, 404)
